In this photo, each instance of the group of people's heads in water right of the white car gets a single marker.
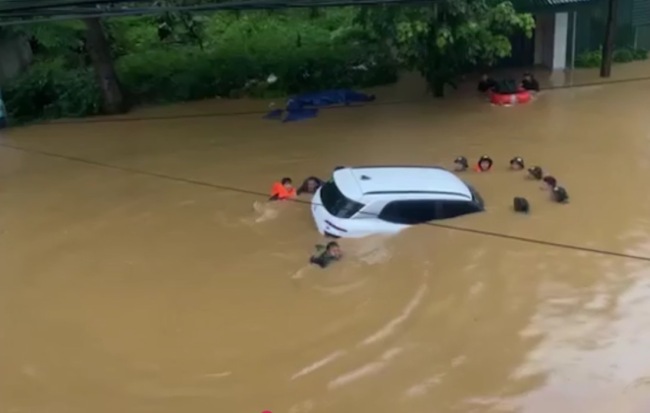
(520, 204)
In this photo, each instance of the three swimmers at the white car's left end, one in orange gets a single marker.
(283, 190)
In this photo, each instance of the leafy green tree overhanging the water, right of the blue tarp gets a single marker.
(441, 39)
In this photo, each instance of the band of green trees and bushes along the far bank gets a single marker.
(89, 67)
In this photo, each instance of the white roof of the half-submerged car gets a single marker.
(357, 182)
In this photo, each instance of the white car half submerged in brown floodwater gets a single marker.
(362, 201)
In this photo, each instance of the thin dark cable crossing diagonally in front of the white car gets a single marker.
(299, 201)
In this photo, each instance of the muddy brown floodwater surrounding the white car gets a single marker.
(129, 292)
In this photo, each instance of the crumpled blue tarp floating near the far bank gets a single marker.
(306, 106)
